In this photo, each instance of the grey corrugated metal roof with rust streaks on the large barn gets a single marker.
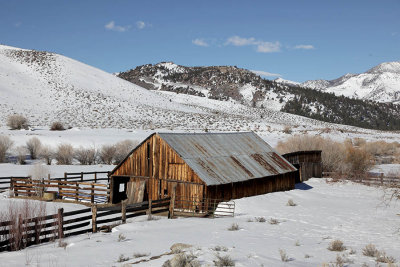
(221, 158)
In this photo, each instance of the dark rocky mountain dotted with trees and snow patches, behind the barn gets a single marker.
(236, 85)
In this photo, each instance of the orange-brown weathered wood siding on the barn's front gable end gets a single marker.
(157, 163)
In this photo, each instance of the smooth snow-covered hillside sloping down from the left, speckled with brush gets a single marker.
(47, 87)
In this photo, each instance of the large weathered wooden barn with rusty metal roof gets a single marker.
(201, 166)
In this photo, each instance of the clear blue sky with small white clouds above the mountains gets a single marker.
(296, 40)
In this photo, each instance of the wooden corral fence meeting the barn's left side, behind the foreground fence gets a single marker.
(77, 191)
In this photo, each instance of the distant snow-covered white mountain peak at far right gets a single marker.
(381, 83)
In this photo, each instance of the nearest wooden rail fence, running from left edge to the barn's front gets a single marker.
(20, 233)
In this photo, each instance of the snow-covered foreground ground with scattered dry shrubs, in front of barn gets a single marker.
(353, 213)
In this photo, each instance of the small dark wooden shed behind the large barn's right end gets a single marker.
(308, 162)
